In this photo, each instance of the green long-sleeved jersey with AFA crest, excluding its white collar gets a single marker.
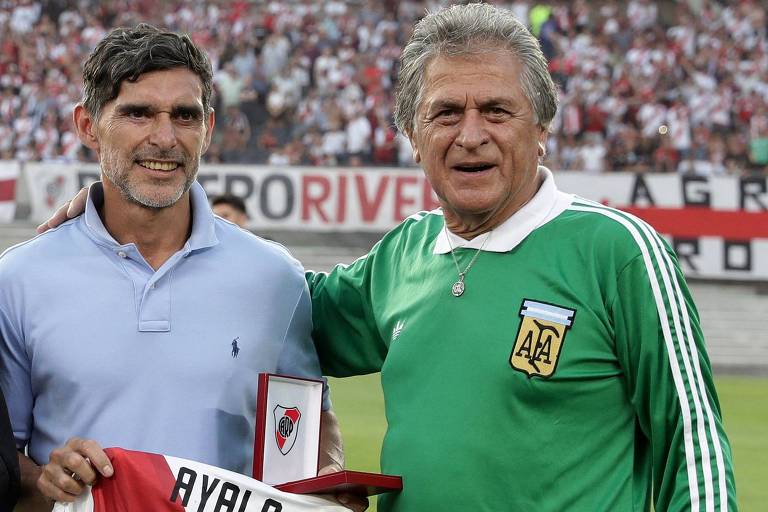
(570, 374)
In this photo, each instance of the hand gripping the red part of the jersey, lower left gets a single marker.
(71, 467)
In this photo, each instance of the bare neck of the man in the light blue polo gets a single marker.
(157, 233)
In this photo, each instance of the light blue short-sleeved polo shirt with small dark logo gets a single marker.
(97, 344)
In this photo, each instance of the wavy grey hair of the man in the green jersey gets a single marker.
(466, 30)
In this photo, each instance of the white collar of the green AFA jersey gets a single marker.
(546, 204)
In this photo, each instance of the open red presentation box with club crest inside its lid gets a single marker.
(287, 444)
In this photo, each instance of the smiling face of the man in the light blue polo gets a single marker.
(151, 137)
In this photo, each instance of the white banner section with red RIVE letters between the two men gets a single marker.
(319, 199)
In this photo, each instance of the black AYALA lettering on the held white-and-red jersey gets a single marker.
(229, 497)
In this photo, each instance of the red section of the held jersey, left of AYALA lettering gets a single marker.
(145, 483)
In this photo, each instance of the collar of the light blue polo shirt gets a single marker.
(203, 225)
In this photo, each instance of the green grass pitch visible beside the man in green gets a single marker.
(744, 402)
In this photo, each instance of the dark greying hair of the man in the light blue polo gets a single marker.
(127, 53)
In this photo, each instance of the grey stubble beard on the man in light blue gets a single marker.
(117, 170)
